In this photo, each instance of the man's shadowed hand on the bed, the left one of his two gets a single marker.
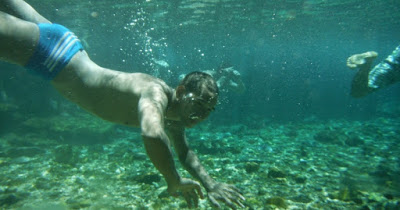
(189, 189)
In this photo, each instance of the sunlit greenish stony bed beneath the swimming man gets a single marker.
(81, 162)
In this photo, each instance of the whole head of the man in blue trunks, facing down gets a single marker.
(198, 94)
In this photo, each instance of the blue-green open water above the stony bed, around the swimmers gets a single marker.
(291, 55)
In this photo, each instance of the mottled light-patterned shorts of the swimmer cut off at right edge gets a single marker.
(386, 72)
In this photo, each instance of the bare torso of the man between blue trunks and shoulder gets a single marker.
(111, 95)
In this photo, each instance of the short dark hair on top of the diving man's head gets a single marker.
(197, 82)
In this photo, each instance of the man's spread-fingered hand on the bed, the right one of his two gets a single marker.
(226, 193)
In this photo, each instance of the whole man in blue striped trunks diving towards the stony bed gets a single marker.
(133, 99)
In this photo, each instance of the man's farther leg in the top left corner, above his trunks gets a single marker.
(23, 10)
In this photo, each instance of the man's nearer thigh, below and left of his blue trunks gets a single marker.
(18, 39)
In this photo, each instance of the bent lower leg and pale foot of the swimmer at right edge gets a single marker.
(359, 85)
